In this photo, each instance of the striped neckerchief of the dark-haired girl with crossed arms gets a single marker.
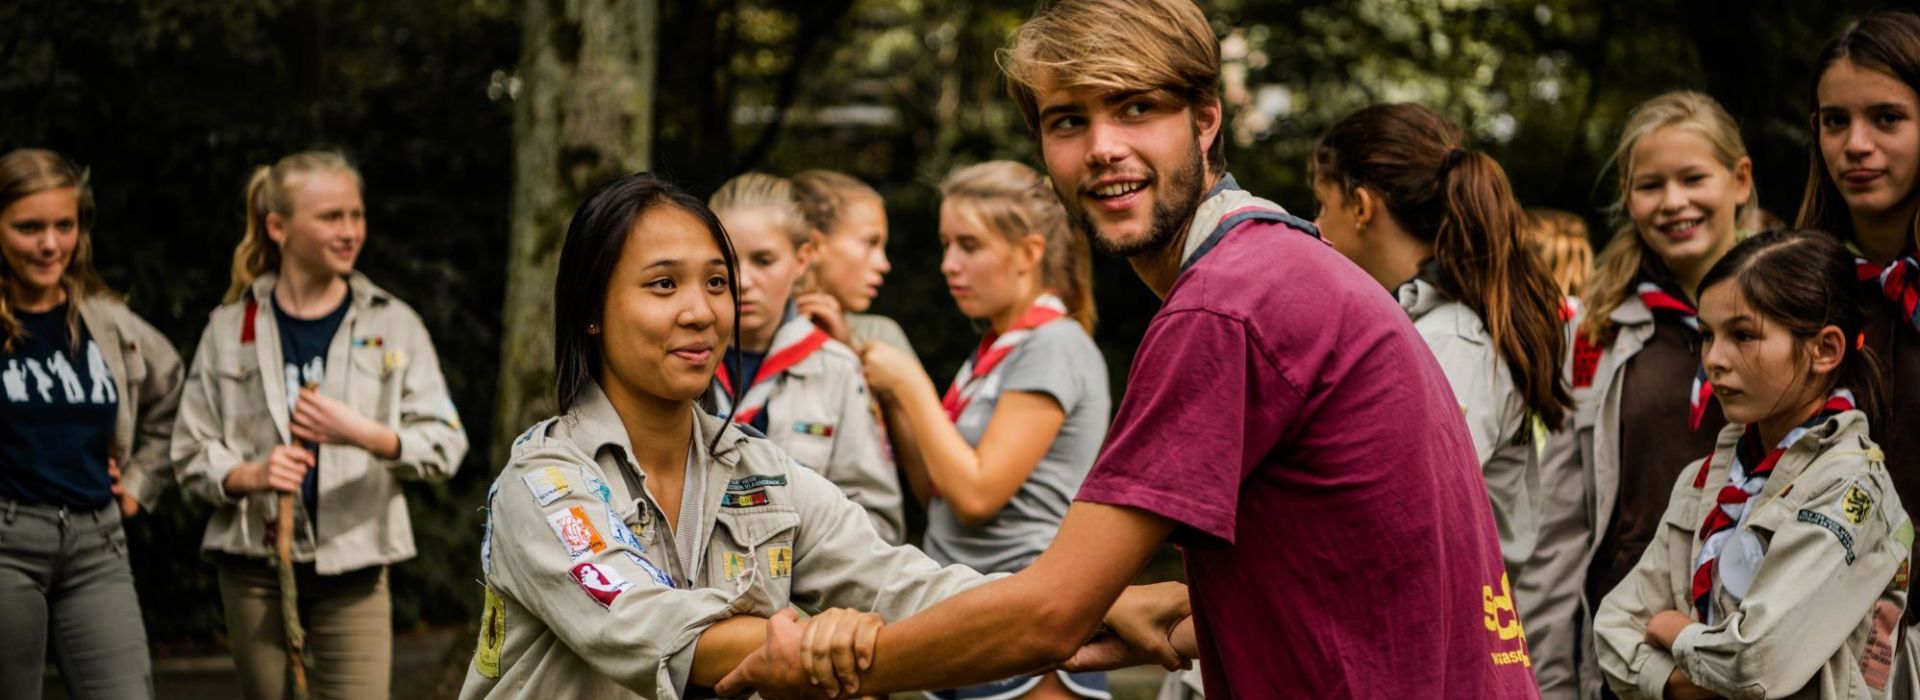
(1737, 502)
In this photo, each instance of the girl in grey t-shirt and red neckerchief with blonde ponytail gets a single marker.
(999, 459)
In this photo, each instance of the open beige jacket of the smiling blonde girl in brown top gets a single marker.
(1579, 484)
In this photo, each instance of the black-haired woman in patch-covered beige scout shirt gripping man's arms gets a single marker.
(636, 546)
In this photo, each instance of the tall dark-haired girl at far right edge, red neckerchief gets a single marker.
(1863, 187)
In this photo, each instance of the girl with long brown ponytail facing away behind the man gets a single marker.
(1437, 223)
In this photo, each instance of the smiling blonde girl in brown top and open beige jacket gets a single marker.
(1641, 392)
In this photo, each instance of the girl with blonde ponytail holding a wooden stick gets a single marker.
(314, 383)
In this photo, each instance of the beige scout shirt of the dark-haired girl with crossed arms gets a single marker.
(1827, 597)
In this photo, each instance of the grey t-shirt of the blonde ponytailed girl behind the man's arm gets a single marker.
(1059, 362)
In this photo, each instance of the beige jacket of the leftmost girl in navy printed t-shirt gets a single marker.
(147, 377)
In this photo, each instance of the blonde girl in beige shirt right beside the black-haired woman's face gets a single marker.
(796, 385)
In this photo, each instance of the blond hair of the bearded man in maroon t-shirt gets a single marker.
(1116, 47)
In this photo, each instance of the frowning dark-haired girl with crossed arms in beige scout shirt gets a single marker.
(1779, 567)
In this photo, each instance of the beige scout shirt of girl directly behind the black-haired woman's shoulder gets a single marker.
(827, 421)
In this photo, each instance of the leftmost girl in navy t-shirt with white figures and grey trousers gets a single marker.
(87, 406)
